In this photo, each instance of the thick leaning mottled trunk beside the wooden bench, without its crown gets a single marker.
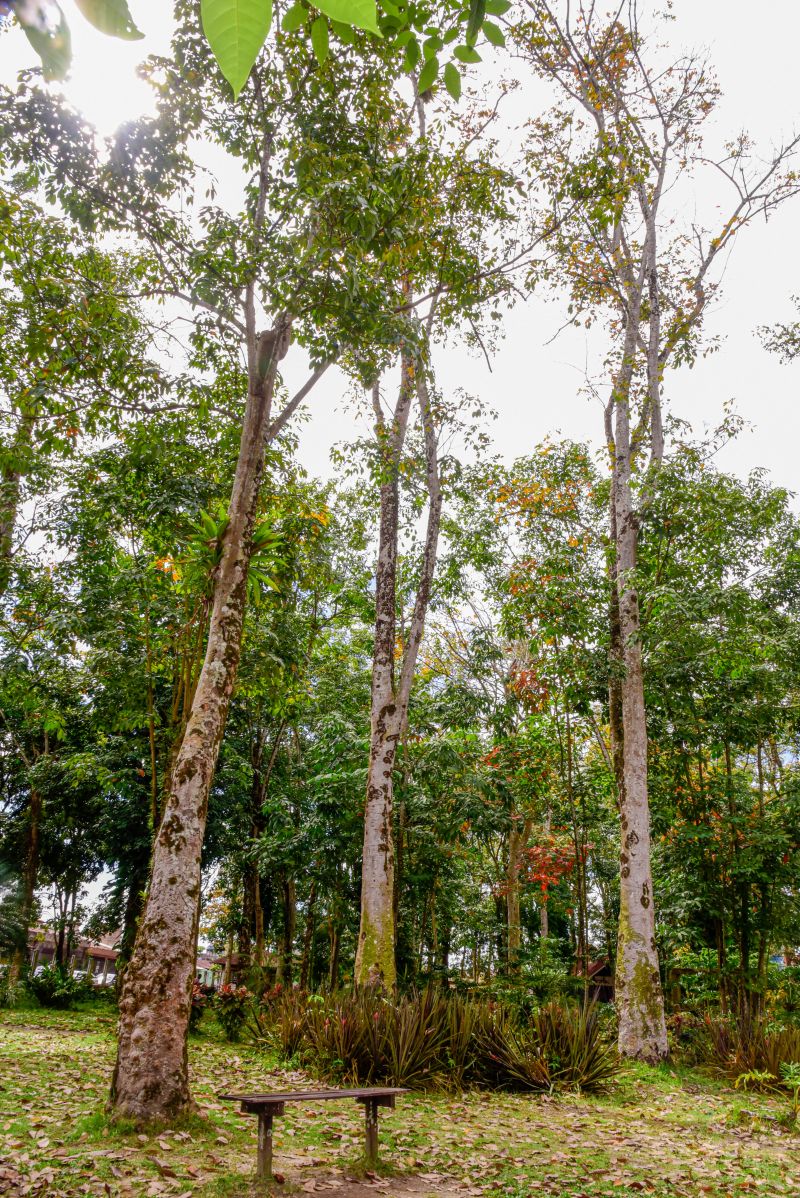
(151, 1073)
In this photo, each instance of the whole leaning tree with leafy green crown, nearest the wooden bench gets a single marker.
(326, 196)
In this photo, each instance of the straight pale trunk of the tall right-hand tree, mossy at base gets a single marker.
(640, 1001)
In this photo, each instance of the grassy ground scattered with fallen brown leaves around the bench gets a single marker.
(665, 1133)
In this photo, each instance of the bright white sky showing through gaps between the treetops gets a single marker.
(535, 384)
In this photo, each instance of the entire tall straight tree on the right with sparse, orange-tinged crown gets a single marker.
(611, 162)
